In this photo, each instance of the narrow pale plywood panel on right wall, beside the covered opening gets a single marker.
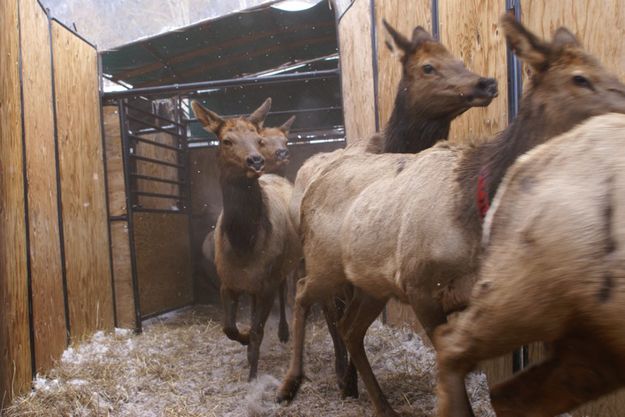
(357, 71)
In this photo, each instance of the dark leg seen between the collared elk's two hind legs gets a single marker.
(346, 376)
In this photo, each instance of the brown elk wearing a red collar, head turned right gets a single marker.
(411, 228)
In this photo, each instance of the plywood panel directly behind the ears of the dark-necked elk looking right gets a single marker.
(403, 16)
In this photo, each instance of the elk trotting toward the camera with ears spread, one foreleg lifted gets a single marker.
(256, 245)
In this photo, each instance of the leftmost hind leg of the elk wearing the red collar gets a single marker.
(304, 298)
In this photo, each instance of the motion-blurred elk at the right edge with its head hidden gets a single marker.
(554, 272)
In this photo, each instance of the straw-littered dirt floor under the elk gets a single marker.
(183, 365)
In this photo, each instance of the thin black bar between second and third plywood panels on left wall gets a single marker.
(59, 197)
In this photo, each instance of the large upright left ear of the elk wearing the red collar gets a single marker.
(525, 44)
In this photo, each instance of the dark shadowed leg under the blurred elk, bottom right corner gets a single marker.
(577, 372)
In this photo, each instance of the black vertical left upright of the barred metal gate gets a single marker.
(129, 209)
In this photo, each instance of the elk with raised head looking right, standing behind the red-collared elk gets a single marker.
(434, 89)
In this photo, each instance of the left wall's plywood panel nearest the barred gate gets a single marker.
(82, 184)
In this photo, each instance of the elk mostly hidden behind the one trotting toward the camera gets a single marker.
(274, 151)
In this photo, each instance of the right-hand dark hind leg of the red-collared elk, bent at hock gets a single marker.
(361, 312)
